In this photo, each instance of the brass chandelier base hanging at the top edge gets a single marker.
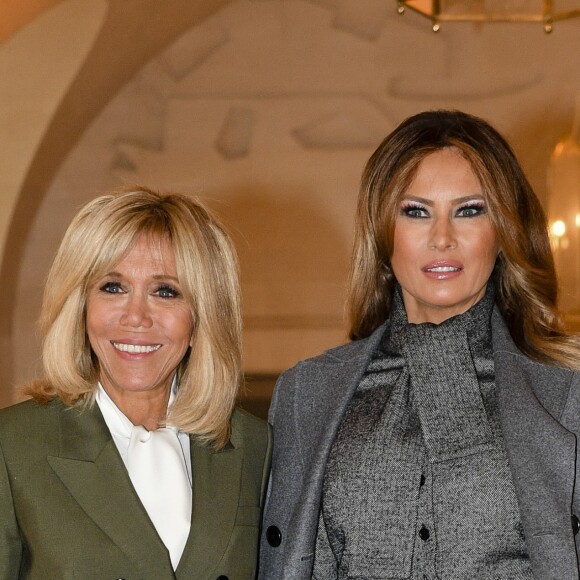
(541, 11)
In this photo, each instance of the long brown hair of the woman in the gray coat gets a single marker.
(525, 278)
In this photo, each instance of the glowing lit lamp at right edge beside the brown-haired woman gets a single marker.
(564, 217)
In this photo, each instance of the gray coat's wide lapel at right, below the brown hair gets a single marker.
(541, 453)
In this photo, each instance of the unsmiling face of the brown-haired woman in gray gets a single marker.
(444, 246)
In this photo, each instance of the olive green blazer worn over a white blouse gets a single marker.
(68, 509)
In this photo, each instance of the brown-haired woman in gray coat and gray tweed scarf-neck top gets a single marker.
(442, 441)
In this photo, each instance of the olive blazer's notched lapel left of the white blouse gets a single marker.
(91, 468)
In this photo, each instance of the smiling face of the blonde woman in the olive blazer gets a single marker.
(138, 322)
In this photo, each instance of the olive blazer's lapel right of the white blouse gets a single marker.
(216, 489)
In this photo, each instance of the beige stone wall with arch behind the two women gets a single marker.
(267, 109)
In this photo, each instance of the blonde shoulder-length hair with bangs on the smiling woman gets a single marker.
(96, 240)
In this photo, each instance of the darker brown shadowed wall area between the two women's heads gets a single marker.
(294, 257)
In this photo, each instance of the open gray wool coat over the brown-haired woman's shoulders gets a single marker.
(540, 417)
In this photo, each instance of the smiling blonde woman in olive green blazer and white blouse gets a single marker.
(131, 461)
